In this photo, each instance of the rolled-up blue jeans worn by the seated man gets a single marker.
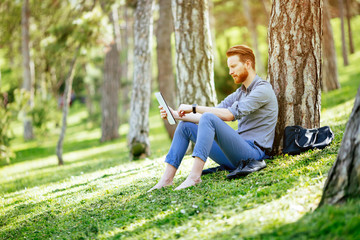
(215, 139)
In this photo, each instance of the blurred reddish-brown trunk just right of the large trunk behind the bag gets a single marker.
(329, 74)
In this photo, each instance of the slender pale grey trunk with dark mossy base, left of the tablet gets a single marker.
(138, 137)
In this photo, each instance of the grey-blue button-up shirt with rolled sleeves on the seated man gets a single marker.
(256, 110)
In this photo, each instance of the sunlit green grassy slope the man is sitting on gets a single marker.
(100, 194)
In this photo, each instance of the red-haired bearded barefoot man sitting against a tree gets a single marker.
(253, 105)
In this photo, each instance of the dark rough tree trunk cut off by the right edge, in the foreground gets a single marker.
(343, 181)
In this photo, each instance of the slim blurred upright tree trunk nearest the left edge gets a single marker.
(27, 81)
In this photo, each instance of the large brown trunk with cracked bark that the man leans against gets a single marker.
(295, 63)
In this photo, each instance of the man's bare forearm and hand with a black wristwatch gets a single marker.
(223, 113)
